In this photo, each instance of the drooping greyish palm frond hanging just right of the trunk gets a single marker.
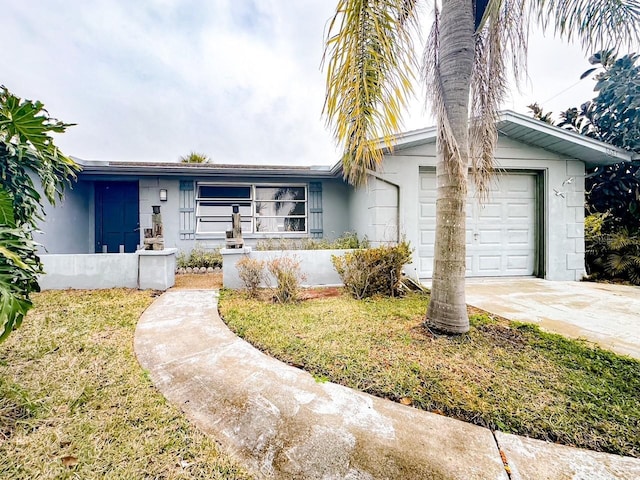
(501, 45)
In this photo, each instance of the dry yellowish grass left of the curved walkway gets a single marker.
(74, 402)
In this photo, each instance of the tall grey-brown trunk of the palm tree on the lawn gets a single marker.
(447, 310)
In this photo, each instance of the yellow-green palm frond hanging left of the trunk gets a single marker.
(369, 59)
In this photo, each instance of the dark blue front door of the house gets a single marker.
(117, 216)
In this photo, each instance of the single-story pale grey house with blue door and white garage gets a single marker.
(532, 224)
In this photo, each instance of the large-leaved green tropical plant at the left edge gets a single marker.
(27, 151)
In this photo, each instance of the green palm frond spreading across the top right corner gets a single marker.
(597, 24)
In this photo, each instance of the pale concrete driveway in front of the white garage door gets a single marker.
(608, 315)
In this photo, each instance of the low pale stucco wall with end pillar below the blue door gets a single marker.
(144, 269)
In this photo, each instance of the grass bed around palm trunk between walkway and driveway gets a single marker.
(503, 375)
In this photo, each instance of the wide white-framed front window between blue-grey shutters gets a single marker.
(263, 208)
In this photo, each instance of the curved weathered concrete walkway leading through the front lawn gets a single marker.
(280, 423)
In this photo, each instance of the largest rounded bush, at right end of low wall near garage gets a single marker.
(373, 271)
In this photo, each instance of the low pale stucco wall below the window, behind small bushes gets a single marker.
(315, 265)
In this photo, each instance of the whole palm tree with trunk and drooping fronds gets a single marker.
(470, 51)
